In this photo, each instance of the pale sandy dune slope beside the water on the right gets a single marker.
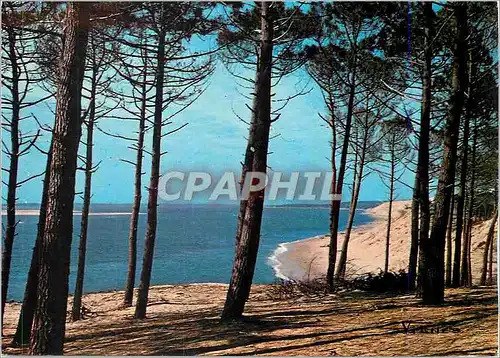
(366, 251)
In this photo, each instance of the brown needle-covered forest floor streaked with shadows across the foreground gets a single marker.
(184, 320)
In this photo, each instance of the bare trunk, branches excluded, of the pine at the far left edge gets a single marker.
(10, 231)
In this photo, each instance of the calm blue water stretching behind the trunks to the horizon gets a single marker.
(195, 243)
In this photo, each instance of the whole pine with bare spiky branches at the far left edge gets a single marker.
(20, 76)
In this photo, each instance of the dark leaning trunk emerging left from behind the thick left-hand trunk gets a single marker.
(22, 335)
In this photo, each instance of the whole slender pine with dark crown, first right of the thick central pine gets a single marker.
(337, 68)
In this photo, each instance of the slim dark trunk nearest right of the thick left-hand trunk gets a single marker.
(87, 193)
